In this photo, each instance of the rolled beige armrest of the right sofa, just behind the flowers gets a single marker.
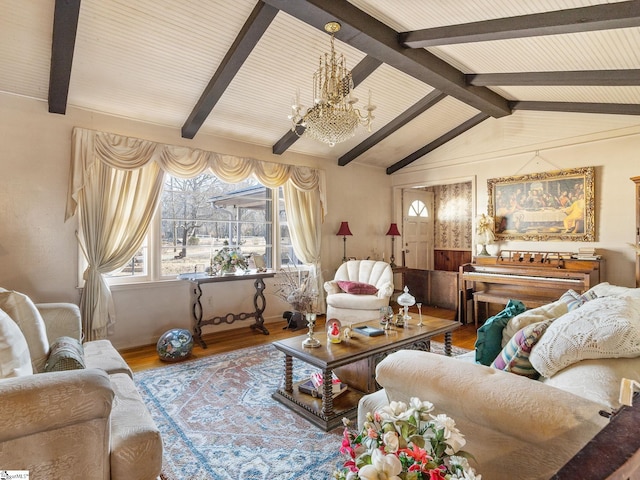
(514, 405)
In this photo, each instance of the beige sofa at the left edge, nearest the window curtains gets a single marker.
(84, 424)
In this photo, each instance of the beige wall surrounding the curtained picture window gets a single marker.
(38, 250)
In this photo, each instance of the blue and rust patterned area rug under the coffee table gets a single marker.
(219, 422)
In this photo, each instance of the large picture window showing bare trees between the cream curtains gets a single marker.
(199, 216)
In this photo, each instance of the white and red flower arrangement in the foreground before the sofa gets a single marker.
(403, 442)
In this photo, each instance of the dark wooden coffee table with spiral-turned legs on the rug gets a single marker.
(354, 361)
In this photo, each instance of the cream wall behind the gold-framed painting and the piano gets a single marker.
(499, 148)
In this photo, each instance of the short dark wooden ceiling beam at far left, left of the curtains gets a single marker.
(65, 26)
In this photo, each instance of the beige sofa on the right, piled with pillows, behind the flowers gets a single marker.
(515, 426)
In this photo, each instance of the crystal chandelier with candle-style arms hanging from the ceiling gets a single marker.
(333, 117)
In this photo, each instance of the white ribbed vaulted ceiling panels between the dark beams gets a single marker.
(151, 60)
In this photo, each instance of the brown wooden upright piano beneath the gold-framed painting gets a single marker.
(534, 278)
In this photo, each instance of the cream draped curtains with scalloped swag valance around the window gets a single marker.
(116, 182)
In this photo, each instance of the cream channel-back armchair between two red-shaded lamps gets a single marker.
(348, 307)
